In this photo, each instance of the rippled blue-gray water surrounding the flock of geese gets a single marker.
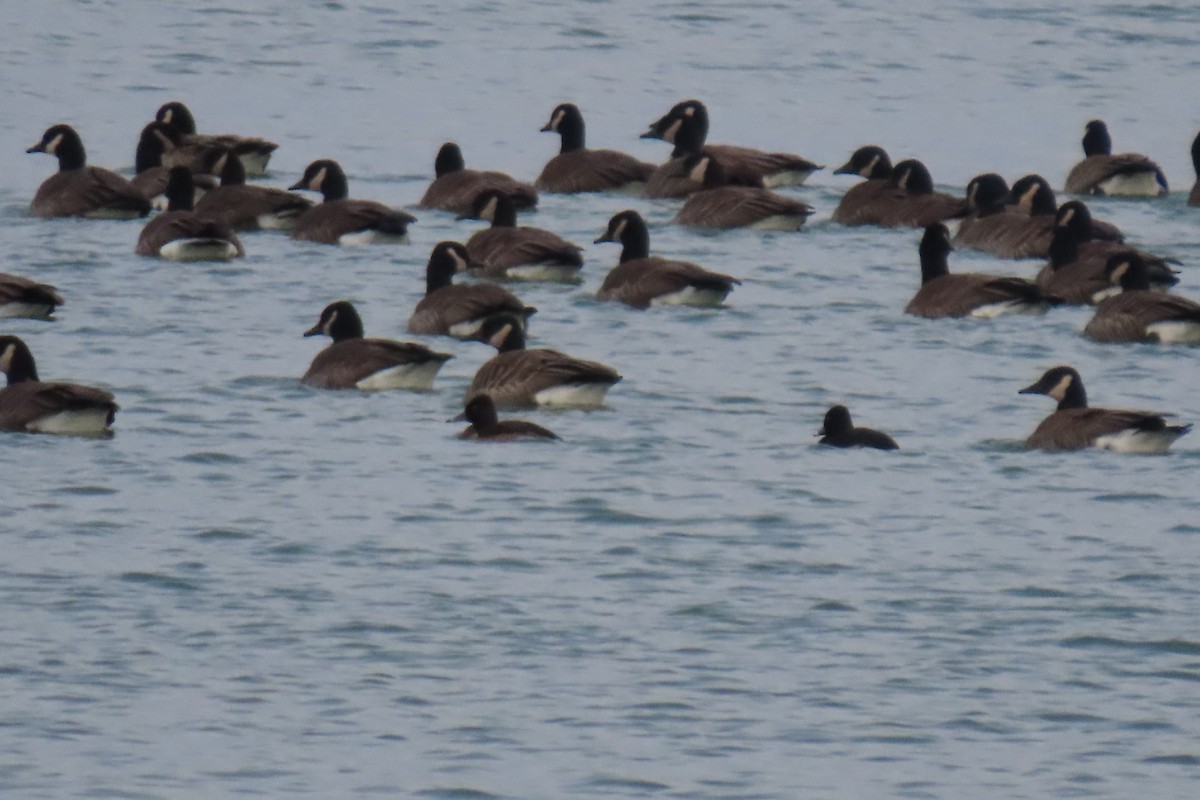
(256, 590)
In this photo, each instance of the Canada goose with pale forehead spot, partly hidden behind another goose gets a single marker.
(686, 127)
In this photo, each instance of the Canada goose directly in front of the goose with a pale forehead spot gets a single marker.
(718, 204)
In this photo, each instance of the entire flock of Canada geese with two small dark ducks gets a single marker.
(199, 187)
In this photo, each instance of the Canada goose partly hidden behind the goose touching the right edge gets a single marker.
(1076, 272)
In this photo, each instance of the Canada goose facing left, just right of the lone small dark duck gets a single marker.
(1076, 426)
